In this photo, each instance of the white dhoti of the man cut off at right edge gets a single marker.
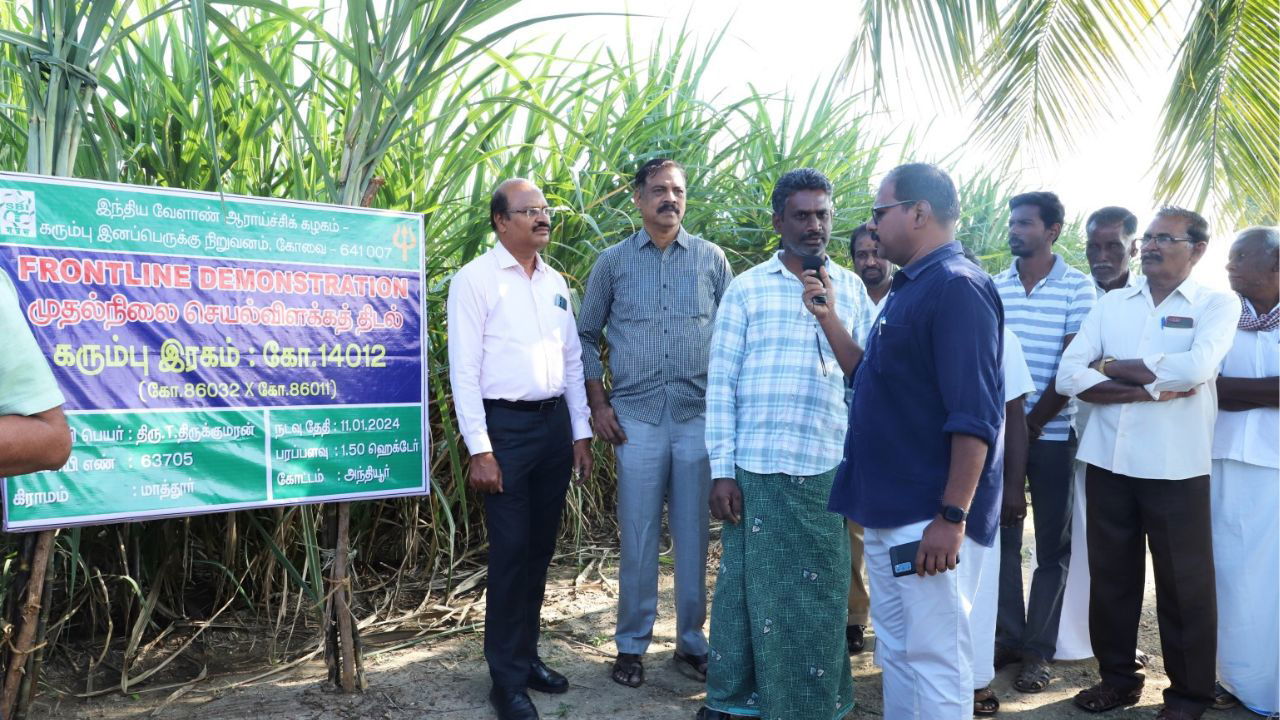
(1246, 512)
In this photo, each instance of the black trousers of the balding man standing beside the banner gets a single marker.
(536, 454)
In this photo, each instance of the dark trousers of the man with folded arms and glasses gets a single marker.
(1174, 516)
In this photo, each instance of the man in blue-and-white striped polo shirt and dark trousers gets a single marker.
(1045, 303)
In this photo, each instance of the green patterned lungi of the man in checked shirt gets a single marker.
(778, 641)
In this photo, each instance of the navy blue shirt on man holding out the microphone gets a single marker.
(931, 370)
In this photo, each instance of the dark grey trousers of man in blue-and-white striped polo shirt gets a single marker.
(1052, 476)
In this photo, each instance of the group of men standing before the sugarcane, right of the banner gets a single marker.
(888, 421)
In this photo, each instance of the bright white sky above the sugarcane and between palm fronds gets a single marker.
(779, 49)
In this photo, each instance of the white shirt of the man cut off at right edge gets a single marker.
(1251, 436)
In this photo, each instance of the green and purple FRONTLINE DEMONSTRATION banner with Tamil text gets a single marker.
(217, 353)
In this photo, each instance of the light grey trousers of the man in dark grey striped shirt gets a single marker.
(664, 463)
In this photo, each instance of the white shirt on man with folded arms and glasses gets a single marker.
(1171, 440)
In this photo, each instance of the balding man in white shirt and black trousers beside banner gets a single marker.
(516, 372)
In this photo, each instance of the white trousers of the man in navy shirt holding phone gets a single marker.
(924, 637)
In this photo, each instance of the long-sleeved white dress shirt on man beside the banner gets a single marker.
(511, 338)
